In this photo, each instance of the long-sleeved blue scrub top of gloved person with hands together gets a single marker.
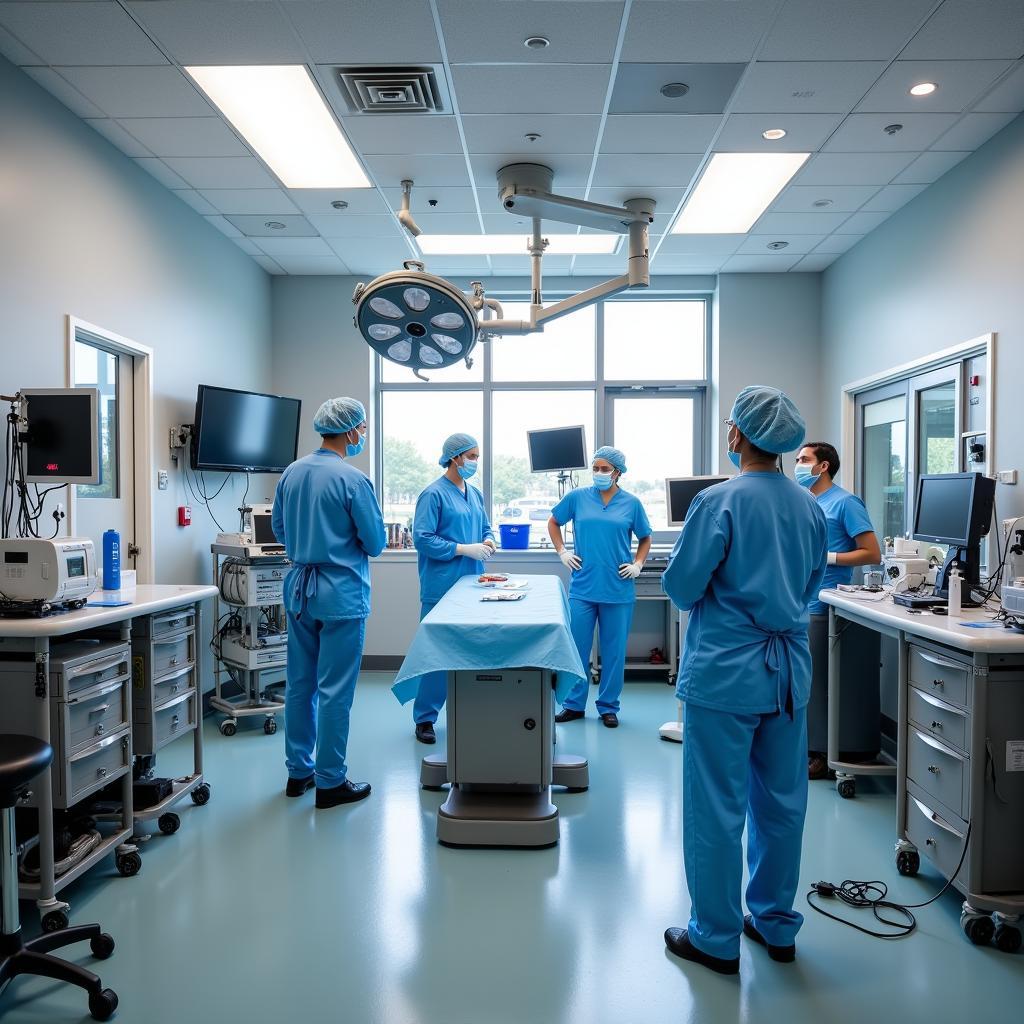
(446, 518)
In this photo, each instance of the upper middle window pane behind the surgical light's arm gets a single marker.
(565, 352)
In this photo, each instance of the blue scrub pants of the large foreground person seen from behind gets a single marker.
(737, 769)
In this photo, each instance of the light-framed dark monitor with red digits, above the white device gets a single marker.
(62, 440)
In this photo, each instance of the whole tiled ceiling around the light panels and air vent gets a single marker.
(833, 73)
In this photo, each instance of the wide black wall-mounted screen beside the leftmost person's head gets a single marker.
(242, 432)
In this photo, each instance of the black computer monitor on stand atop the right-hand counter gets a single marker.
(955, 509)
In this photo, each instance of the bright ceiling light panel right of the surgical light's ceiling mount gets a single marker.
(735, 191)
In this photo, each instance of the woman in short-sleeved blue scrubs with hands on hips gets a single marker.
(603, 591)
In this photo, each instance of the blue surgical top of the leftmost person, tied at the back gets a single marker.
(326, 515)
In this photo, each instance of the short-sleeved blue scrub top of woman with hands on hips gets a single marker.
(604, 541)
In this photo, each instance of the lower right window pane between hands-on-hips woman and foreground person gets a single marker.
(654, 454)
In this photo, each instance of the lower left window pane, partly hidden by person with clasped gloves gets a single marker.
(415, 425)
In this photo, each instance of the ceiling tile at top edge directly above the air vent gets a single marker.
(363, 32)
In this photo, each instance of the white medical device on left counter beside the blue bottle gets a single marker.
(41, 574)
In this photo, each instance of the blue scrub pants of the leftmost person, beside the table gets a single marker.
(324, 662)
